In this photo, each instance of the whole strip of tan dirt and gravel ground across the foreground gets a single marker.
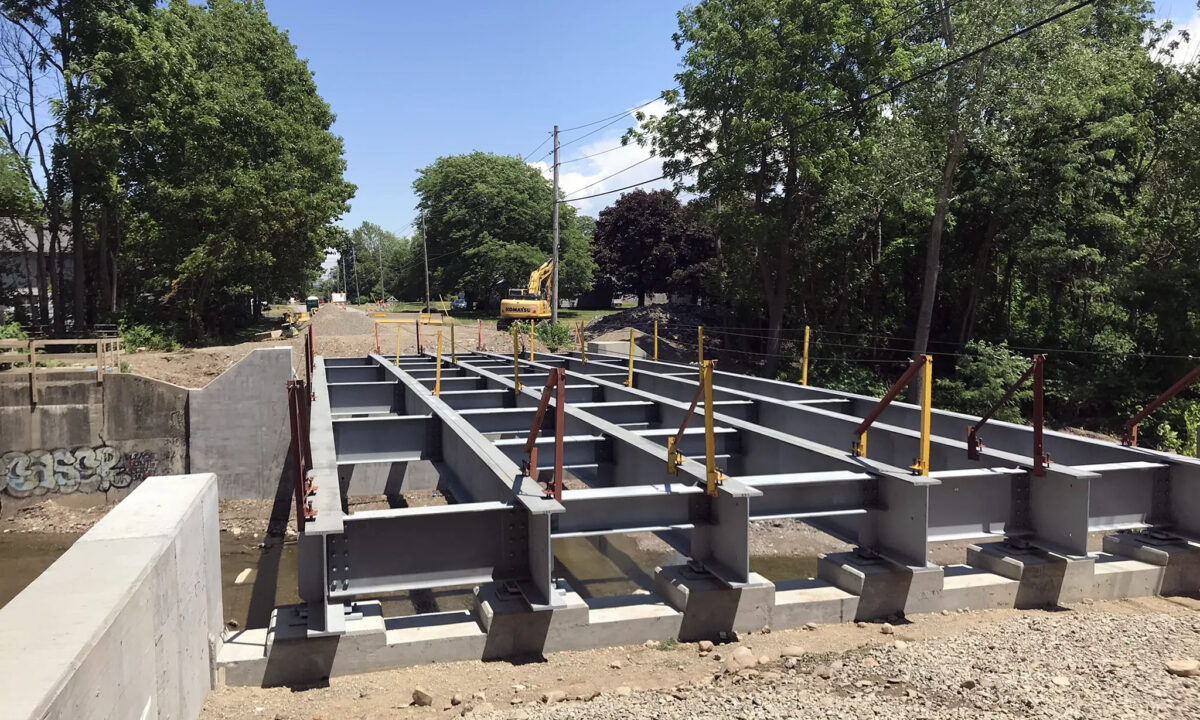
(1090, 661)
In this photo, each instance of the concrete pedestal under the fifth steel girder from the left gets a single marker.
(1045, 579)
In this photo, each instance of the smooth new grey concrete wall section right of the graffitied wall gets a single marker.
(239, 429)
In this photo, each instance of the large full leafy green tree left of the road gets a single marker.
(237, 178)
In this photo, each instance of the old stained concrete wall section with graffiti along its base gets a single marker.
(88, 439)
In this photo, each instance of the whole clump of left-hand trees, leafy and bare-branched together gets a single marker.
(193, 159)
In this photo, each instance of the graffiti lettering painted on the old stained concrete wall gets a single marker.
(86, 470)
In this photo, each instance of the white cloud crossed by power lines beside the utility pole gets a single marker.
(604, 172)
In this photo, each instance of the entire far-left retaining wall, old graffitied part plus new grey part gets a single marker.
(97, 441)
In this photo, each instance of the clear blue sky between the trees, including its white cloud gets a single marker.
(412, 81)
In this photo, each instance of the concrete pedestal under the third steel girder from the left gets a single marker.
(710, 607)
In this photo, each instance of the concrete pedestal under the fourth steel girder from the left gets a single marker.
(884, 589)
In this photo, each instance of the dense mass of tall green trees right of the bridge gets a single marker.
(1040, 195)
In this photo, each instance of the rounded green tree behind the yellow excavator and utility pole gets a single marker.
(488, 220)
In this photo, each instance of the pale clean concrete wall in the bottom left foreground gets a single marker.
(128, 622)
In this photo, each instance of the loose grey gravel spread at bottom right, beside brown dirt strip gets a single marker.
(1046, 665)
